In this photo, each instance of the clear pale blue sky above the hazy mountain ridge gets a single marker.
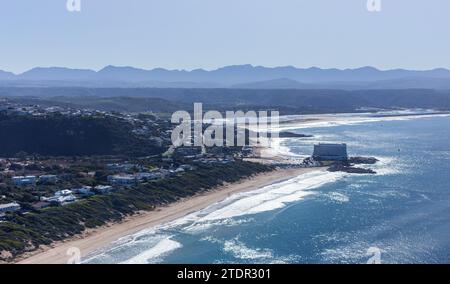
(190, 34)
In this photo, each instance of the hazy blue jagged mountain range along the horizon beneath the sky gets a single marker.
(237, 76)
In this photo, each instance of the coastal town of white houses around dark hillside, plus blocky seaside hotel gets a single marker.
(30, 182)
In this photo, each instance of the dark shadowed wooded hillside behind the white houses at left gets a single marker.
(59, 135)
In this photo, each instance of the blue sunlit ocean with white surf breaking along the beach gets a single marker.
(399, 215)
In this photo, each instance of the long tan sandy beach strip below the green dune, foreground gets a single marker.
(95, 239)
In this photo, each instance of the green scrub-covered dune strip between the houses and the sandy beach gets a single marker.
(25, 232)
